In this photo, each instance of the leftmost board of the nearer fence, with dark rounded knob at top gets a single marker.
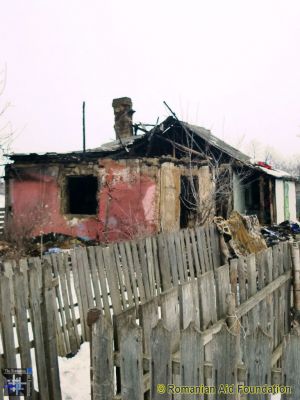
(101, 348)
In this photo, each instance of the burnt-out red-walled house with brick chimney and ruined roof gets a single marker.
(172, 176)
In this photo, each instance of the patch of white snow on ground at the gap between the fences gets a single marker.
(75, 375)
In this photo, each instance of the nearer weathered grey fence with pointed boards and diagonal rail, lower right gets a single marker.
(178, 337)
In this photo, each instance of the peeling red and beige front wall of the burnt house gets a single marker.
(126, 199)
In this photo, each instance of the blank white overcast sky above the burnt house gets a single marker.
(231, 66)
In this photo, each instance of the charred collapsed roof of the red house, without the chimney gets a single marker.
(172, 138)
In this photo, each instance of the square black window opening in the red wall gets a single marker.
(82, 191)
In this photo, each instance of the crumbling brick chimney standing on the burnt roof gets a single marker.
(123, 117)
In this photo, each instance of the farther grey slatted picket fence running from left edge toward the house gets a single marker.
(114, 279)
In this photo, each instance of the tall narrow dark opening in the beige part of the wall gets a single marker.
(189, 201)
